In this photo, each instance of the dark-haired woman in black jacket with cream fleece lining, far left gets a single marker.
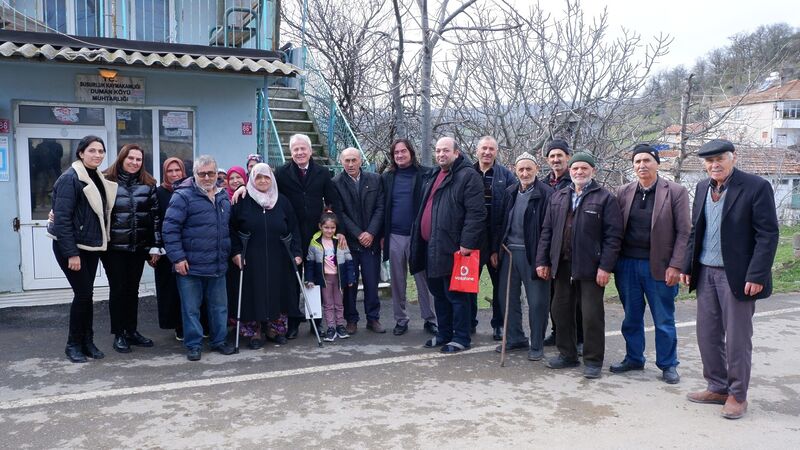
(82, 202)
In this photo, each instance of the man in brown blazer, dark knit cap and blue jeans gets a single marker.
(656, 225)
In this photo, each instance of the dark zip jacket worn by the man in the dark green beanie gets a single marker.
(596, 232)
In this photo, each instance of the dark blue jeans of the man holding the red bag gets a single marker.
(453, 312)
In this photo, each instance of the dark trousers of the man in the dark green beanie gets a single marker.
(568, 295)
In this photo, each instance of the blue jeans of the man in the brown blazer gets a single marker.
(634, 283)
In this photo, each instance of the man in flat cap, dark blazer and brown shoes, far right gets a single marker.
(729, 261)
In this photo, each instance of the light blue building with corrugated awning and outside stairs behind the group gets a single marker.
(179, 77)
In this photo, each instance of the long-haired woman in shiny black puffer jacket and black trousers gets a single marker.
(134, 238)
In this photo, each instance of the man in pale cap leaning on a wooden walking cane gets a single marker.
(524, 207)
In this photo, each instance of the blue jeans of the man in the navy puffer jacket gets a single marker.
(192, 290)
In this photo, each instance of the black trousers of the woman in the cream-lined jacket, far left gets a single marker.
(82, 283)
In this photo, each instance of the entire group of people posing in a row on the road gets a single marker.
(224, 256)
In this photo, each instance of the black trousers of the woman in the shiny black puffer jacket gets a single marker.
(124, 271)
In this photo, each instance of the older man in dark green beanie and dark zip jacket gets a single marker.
(578, 249)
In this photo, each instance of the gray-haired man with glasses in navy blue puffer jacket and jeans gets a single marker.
(197, 241)
